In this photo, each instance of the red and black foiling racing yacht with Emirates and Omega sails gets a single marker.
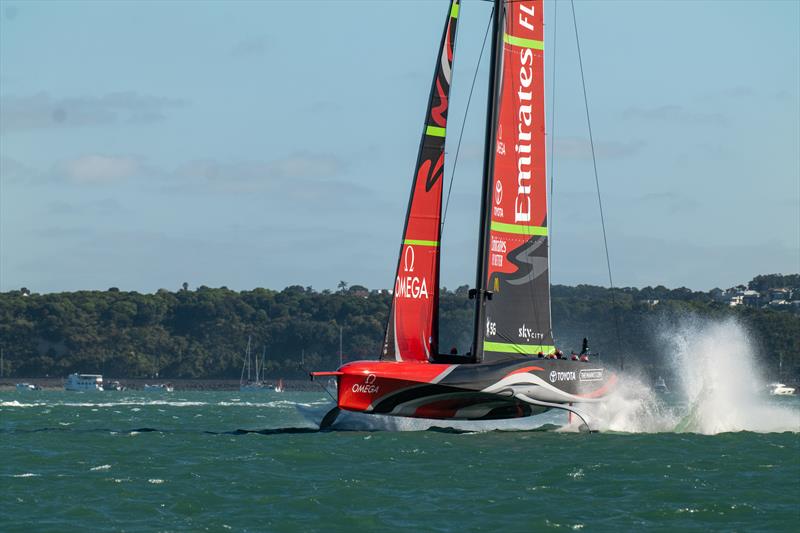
(513, 368)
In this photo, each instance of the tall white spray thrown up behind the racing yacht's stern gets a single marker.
(717, 388)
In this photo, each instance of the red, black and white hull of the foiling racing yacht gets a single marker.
(483, 391)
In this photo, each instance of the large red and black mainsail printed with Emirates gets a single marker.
(517, 317)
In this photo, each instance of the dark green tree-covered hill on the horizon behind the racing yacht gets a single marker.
(203, 332)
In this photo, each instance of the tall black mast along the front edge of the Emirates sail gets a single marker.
(479, 292)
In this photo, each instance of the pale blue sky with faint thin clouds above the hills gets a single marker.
(271, 143)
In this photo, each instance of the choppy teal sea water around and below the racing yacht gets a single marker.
(120, 461)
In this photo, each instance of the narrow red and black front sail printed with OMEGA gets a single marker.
(412, 329)
